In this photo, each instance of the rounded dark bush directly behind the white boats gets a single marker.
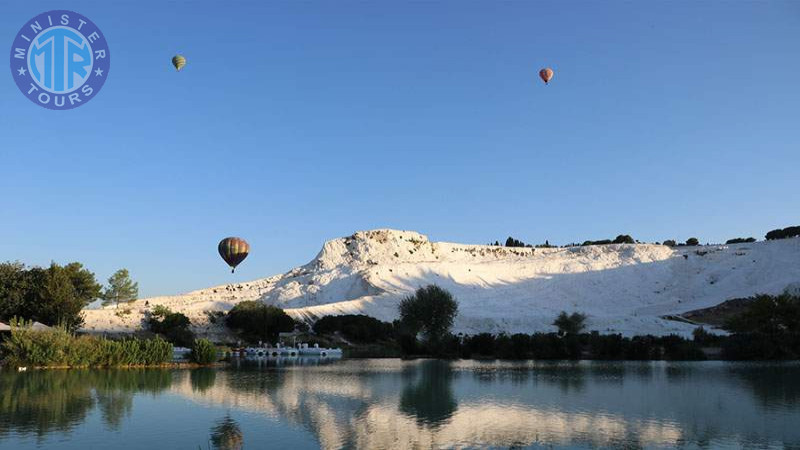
(254, 321)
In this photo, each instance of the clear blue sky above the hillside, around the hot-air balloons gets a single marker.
(298, 122)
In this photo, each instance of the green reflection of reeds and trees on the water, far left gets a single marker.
(39, 402)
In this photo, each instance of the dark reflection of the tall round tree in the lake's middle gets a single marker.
(431, 398)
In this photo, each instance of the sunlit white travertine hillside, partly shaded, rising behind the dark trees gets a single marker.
(623, 288)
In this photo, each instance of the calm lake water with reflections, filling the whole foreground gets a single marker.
(393, 404)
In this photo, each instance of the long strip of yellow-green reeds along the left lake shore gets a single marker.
(57, 347)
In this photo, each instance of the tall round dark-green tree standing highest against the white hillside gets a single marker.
(430, 311)
